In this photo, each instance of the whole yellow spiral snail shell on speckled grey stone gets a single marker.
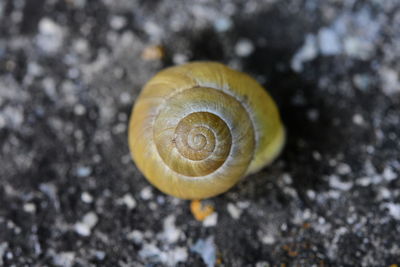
(198, 128)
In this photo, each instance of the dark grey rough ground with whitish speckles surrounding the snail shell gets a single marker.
(71, 196)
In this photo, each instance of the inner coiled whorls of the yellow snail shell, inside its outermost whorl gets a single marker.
(194, 130)
